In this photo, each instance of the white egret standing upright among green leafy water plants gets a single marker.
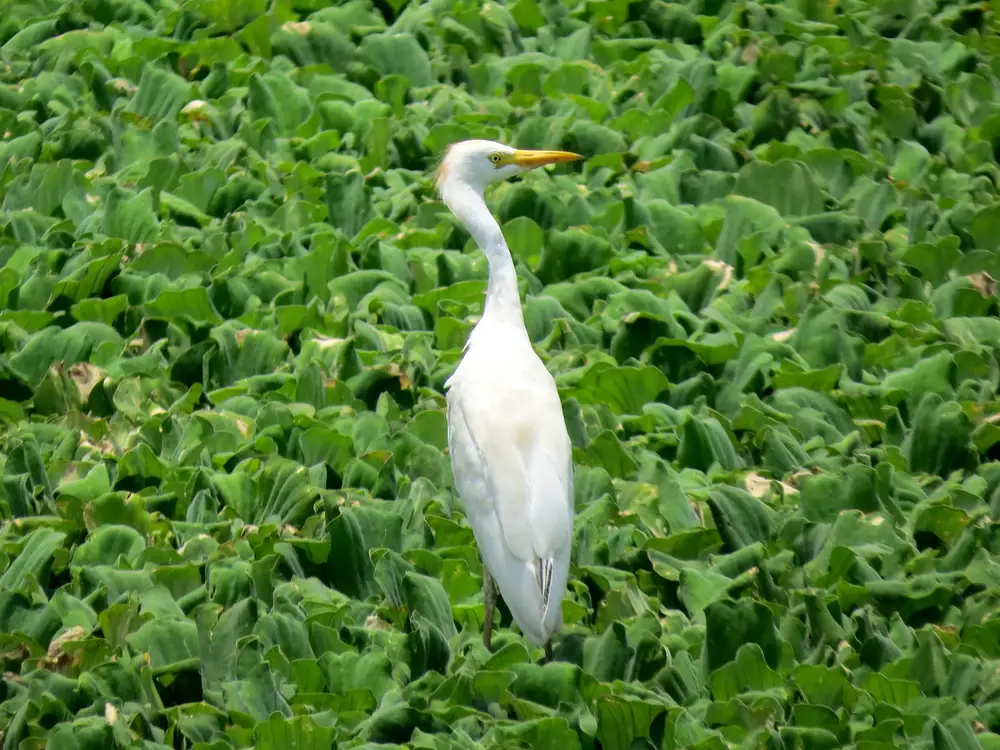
(510, 450)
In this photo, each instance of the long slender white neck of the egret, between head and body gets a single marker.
(468, 204)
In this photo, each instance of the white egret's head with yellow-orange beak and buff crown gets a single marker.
(478, 164)
